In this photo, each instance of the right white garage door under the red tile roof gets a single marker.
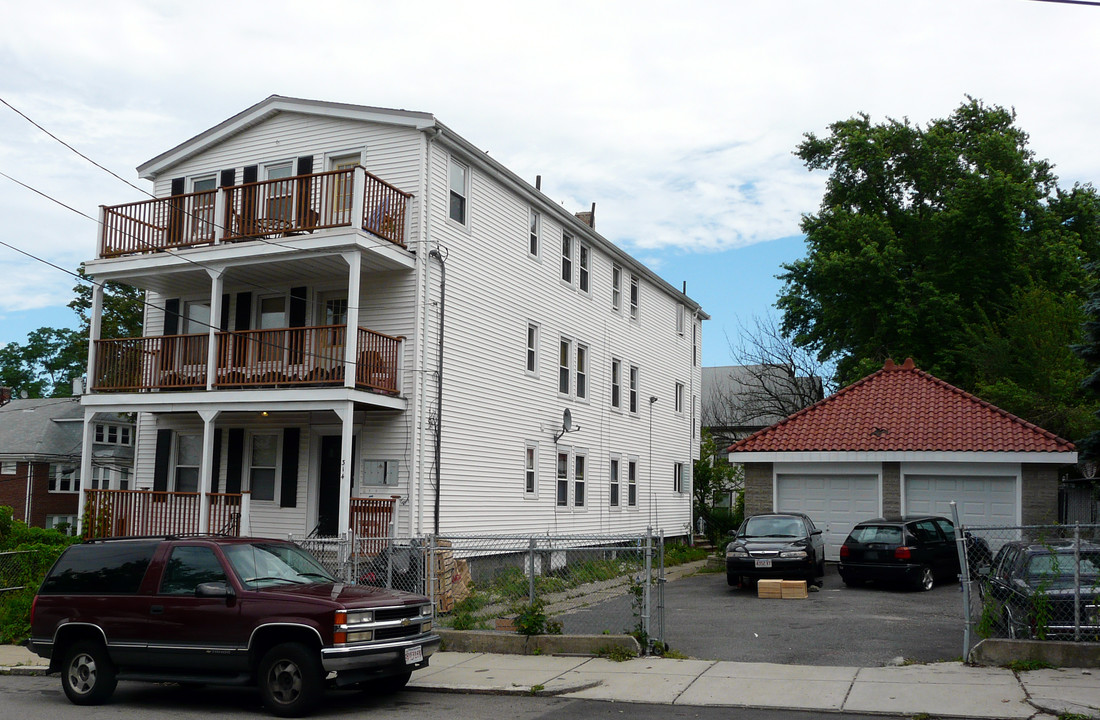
(981, 501)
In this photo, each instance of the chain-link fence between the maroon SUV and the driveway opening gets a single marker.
(542, 584)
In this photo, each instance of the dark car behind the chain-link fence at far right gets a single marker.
(1032, 591)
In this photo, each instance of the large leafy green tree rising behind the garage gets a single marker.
(952, 245)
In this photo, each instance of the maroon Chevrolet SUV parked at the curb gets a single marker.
(227, 612)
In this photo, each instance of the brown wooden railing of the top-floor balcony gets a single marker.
(269, 209)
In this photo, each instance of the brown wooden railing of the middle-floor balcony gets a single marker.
(281, 358)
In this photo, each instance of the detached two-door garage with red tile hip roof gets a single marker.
(901, 441)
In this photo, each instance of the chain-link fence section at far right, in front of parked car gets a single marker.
(1032, 582)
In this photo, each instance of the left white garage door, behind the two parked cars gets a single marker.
(835, 503)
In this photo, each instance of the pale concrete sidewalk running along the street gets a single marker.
(942, 690)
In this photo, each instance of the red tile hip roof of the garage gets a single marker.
(903, 409)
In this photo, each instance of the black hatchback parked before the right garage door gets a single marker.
(914, 550)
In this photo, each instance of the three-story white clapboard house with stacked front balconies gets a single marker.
(354, 314)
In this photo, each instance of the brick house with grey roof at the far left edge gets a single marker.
(40, 458)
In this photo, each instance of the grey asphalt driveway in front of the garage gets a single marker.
(866, 627)
